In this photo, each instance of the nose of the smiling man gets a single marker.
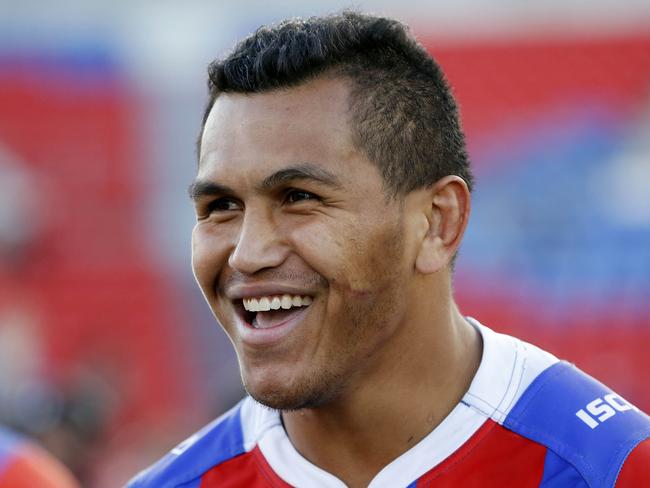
(259, 245)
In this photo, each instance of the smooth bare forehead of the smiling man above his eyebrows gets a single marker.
(308, 123)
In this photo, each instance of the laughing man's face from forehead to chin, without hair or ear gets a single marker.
(297, 250)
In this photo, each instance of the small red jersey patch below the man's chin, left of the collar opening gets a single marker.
(250, 470)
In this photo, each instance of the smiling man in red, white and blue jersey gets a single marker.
(332, 194)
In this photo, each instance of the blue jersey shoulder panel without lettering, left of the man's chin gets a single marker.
(186, 463)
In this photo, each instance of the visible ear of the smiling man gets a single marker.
(447, 214)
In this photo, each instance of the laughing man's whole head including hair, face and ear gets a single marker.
(325, 220)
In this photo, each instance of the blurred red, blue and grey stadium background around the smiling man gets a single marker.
(108, 355)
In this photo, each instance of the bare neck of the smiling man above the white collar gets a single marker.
(371, 424)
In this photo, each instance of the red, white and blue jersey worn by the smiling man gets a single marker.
(527, 420)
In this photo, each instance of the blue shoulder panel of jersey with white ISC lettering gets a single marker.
(582, 421)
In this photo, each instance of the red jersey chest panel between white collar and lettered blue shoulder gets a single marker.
(503, 459)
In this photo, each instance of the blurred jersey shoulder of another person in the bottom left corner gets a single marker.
(25, 465)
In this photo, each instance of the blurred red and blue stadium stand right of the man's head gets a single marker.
(558, 249)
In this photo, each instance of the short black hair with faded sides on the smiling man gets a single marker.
(404, 117)
